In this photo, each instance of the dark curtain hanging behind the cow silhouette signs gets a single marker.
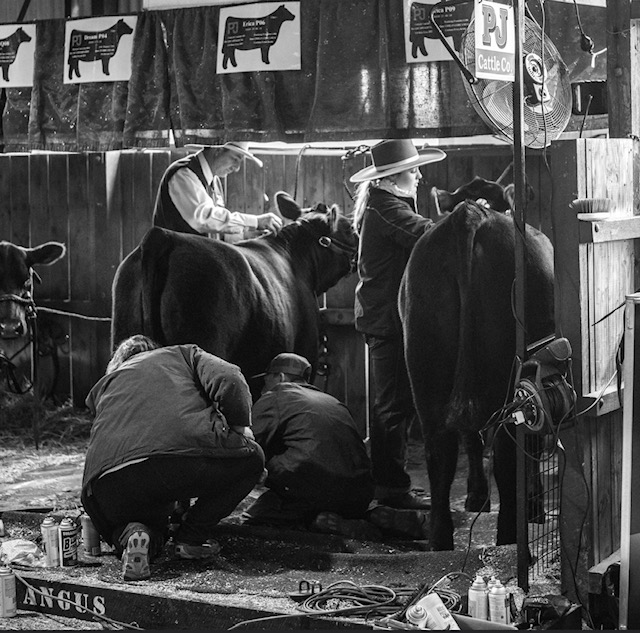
(354, 83)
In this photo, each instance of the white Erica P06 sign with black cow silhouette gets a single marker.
(257, 37)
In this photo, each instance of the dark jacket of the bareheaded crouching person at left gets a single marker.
(177, 400)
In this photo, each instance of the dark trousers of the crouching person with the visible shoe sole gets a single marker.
(145, 493)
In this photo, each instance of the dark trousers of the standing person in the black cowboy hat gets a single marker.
(392, 411)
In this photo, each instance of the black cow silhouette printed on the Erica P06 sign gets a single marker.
(246, 34)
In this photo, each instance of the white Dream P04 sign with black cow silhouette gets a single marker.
(98, 49)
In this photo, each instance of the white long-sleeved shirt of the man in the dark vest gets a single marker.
(204, 209)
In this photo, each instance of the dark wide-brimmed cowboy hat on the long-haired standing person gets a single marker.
(394, 156)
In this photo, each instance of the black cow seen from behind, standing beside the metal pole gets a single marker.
(456, 307)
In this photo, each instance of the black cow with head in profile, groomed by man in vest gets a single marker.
(245, 302)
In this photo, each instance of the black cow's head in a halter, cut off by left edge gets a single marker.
(15, 283)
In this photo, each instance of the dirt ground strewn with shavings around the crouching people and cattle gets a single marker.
(258, 567)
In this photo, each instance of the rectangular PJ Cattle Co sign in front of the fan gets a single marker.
(495, 41)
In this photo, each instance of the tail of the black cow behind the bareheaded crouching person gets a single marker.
(155, 249)
